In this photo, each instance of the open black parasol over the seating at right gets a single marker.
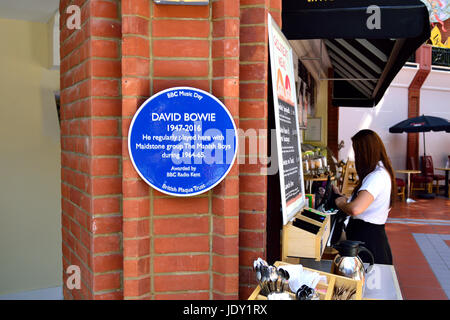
(421, 124)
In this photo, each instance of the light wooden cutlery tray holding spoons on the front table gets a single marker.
(325, 291)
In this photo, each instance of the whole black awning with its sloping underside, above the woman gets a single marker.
(407, 21)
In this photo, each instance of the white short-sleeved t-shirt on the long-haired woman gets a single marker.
(378, 184)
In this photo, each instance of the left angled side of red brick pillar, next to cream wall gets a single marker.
(91, 149)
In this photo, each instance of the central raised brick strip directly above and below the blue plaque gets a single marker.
(180, 227)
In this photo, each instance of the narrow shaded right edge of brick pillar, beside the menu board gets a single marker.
(253, 106)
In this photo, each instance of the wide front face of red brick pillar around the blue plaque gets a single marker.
(179, 248)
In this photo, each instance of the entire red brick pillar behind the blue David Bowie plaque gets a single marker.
(131, 241)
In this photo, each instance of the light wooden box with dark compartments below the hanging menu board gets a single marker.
(306, 235)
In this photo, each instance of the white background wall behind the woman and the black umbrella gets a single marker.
(393, 108)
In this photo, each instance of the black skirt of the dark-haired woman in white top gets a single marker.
(375, 239)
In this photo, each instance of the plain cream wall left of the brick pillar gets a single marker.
(30, 184)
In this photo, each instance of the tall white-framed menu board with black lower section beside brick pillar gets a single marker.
(286, 123)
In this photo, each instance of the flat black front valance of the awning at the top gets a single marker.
(348, 19)
